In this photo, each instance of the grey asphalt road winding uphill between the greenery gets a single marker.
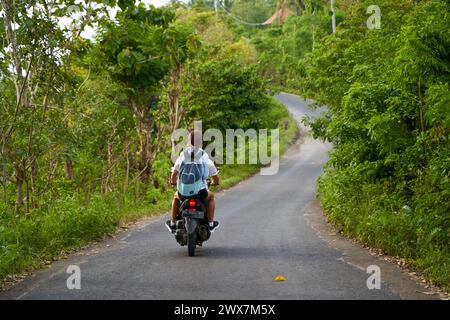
(263, 233)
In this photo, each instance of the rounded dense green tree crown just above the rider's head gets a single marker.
(226, 94)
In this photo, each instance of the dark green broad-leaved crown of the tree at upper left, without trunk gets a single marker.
(133, 50)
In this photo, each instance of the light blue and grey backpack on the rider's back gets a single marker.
(192, 174)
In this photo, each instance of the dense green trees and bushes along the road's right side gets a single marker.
(387, 181)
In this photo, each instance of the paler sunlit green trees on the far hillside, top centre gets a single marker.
(281, 47)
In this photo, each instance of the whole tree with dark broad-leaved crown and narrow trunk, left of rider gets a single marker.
(135, 55)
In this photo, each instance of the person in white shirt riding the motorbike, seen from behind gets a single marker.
(209, 171)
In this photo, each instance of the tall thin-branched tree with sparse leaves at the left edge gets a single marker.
(35, 47)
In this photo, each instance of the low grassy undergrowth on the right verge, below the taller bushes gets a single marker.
(412, 227)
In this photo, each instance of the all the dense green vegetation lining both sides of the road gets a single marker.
(86, 120)
